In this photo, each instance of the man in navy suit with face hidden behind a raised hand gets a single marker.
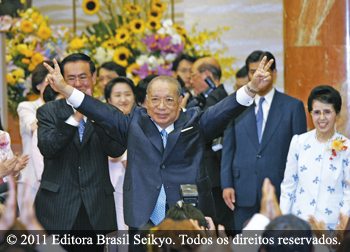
(256, 144)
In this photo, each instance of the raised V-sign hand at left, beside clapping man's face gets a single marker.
(56, 80)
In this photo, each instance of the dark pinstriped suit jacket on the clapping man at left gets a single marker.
(74, 173)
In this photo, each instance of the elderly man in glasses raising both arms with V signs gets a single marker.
(165, 145)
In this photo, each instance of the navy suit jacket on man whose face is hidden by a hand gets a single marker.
(246, 163)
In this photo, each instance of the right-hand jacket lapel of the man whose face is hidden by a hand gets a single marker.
(273, 120)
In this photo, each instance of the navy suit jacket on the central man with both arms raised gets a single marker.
(149, 166)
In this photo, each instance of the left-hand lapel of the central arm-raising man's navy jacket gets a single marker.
(151, 131)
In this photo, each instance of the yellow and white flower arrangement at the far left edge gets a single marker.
(29, 41)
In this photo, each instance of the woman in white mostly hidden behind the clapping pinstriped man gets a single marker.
(27, 123)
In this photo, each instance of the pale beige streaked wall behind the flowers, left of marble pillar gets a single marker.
(254, 24)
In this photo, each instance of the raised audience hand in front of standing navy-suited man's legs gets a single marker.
(269, 202)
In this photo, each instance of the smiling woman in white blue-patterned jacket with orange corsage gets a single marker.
(318, 164)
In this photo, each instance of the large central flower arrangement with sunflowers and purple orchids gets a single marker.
(140, 38)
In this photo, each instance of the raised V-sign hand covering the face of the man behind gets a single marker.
(261, 76)
